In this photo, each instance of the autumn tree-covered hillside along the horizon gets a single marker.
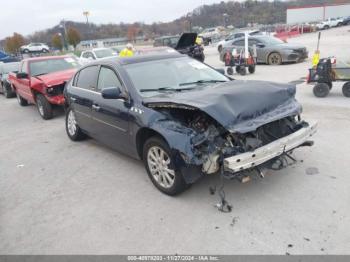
(235, 13)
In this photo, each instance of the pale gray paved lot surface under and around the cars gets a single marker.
(60, 197)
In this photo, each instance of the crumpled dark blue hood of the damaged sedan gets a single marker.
(239, 106)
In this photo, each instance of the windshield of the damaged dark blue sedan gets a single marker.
(171, 75)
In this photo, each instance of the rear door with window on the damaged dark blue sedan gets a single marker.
(82, 94)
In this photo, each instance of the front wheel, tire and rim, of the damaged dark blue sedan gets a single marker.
(160, 167)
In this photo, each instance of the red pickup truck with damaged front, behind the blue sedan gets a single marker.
(41, 81)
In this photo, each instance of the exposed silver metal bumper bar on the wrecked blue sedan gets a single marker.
(265, 153)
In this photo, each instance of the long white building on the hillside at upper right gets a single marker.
(313, 13)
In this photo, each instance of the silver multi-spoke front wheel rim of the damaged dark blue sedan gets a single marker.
(158, 164)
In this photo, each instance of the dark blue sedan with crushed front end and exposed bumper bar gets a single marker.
(184, 119)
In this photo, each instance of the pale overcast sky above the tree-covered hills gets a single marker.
(25, 16)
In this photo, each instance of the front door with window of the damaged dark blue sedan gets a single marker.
(111, 116)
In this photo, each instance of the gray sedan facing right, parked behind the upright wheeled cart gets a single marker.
(270, 50)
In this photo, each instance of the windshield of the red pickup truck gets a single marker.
(42, 67)
